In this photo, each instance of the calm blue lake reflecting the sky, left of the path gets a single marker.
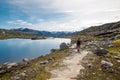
(14, 50)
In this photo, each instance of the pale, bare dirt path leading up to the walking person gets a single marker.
(71, 68)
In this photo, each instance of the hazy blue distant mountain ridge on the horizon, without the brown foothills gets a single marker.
(38, 33)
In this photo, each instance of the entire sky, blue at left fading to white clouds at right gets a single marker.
(57, 15)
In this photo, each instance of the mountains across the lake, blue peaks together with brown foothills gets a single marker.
(30, 33)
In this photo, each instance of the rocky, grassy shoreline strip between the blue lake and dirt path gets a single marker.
(35, 68)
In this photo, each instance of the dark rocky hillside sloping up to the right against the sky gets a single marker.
(108, 30)
